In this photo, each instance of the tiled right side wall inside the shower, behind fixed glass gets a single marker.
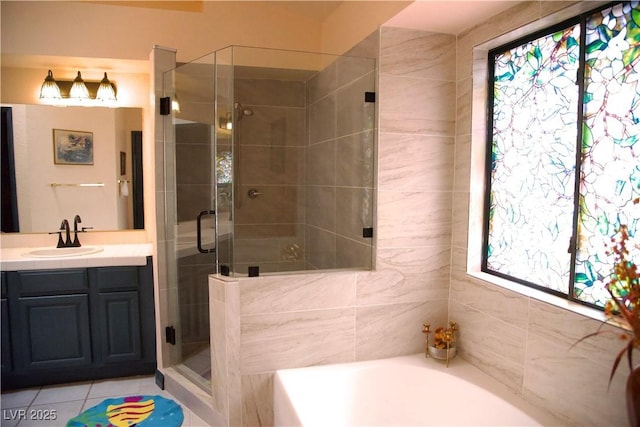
(339, 165)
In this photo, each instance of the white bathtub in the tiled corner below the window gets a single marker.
(401, 391)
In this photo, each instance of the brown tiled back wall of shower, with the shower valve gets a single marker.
(272, 141)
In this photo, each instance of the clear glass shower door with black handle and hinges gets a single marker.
(190, 213)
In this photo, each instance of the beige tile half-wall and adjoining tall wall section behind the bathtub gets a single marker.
(315, 318)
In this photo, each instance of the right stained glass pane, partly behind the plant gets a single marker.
(610, 170)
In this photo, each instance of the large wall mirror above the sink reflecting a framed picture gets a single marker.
(73, 160)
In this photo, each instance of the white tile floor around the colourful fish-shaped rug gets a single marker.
(68, 400)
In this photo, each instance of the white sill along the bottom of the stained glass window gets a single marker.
(547, 298)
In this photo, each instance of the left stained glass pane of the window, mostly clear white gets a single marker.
(533, 160)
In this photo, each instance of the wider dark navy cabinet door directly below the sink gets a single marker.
(54, 332)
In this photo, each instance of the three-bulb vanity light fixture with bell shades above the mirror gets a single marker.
(77, 92)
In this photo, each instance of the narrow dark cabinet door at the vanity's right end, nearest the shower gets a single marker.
(119, 326)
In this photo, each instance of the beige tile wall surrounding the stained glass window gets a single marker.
(521, 341)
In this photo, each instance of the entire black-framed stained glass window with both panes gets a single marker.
(563, 170)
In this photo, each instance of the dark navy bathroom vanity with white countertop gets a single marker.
(77, 318)
